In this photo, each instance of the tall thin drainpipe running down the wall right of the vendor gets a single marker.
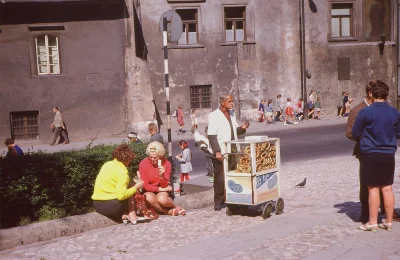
(303, 58)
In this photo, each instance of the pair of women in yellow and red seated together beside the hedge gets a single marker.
(115, 197)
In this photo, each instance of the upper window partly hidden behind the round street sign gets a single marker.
(190, 26)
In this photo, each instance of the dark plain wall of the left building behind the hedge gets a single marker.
(69, 54)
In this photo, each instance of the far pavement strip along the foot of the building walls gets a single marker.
(255, 127)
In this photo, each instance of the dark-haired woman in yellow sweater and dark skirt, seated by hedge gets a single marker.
(112, 197)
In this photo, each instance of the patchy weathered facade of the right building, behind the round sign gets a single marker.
(251, 48)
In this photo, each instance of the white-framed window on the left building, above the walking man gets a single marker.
(47, 54)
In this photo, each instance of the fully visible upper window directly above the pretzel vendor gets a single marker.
(235, 24)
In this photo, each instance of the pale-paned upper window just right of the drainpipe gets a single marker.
(342, 20)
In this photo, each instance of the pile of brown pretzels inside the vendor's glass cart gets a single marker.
(265, 158)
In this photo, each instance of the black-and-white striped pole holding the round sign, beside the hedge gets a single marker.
(166, 77)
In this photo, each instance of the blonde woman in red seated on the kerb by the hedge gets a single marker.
(155, 171)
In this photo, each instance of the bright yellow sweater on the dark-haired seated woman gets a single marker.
(112, 182)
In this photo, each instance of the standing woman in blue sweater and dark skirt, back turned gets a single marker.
(377, 127)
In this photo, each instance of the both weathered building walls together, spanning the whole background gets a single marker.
(101, 62)
